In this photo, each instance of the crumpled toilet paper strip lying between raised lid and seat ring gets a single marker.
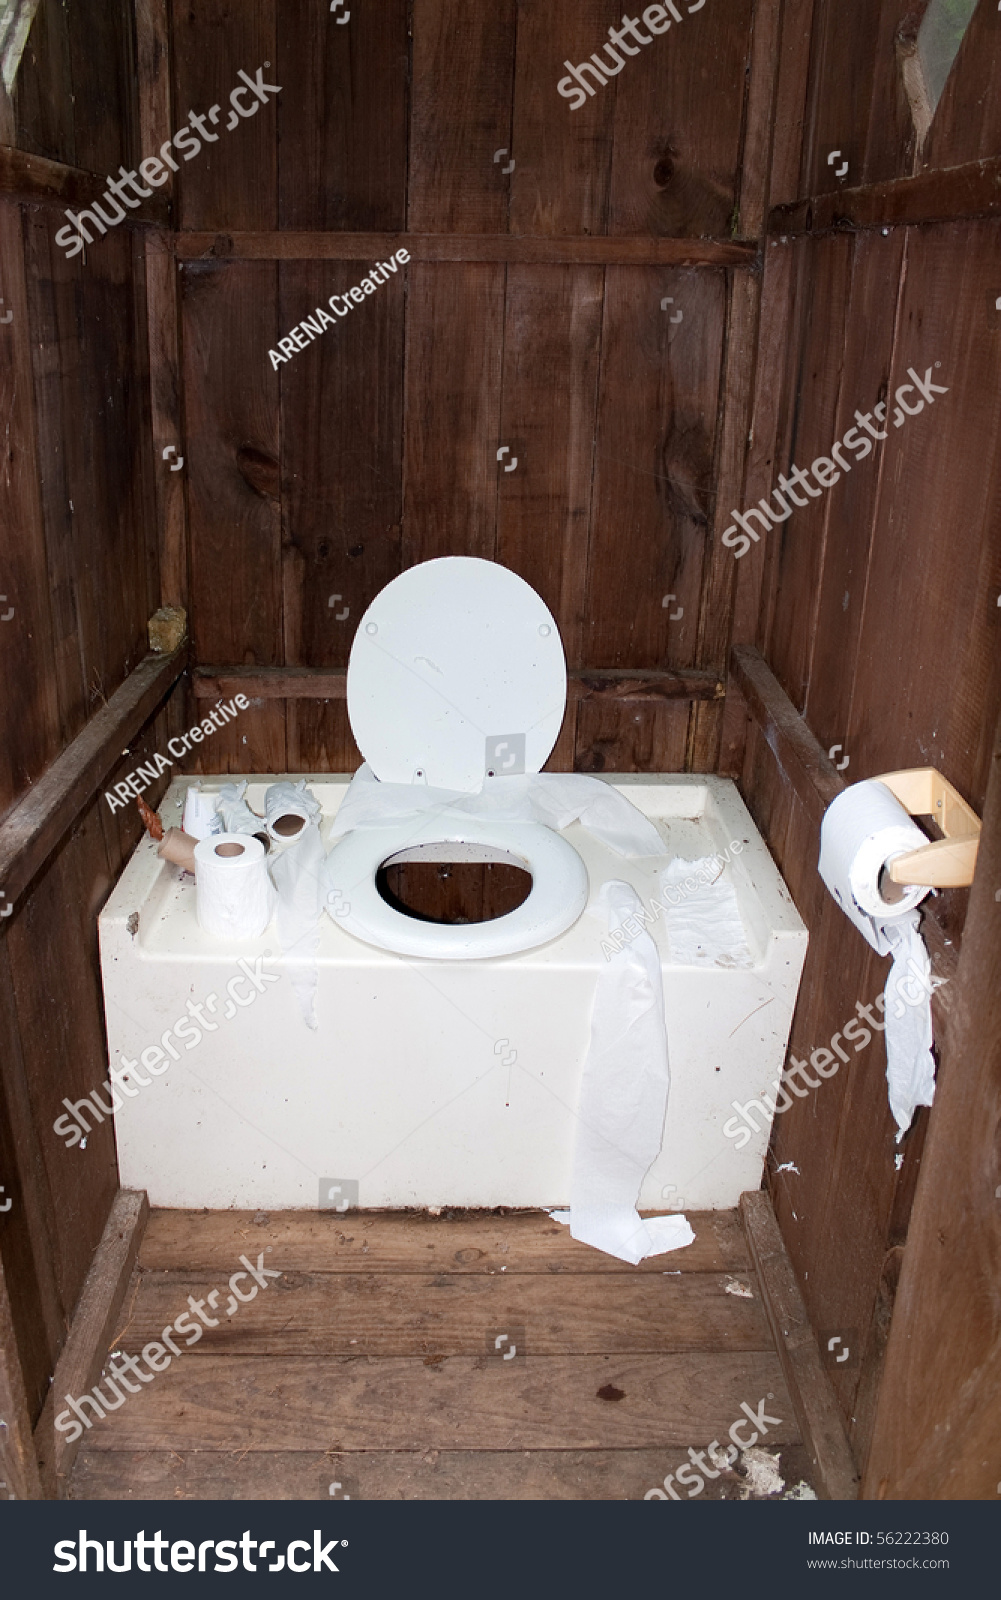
(554, 799)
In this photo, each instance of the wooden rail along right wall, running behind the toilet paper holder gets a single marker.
(816, 782)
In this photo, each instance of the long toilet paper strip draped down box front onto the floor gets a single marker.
(623, 1100)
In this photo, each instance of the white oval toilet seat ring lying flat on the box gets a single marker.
(554, 903)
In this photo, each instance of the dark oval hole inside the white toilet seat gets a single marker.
(455, 882)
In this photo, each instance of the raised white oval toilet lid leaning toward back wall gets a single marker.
(457, 673)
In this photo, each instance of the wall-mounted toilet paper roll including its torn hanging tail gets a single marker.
(864, 830)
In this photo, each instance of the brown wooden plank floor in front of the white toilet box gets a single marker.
(372, 1367)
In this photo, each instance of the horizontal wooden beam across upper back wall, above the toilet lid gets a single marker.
(530, 249)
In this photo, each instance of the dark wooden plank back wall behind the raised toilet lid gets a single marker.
(377, 449)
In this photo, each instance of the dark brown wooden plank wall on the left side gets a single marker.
(81, 578)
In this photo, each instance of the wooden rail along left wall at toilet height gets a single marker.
(34, 826)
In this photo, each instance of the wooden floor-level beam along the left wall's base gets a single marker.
(90, 1335)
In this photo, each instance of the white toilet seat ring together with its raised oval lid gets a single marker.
(457, 676)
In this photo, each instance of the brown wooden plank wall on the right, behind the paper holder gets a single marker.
(877, 606)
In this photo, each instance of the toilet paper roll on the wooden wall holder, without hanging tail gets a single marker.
(861, 833)
